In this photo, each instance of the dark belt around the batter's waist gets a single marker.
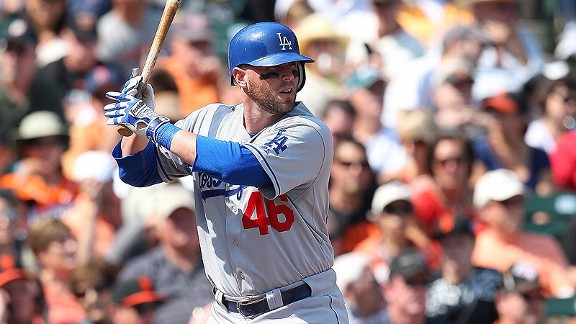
(254, 307)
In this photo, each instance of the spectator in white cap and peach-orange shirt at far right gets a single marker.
(498, 196)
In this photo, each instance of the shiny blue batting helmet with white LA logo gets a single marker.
(266, 44)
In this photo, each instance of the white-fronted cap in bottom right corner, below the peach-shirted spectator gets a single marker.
(521, 277)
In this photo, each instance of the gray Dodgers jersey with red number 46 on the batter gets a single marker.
(256, 240)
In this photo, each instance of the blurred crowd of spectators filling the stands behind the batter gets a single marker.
(452, 189)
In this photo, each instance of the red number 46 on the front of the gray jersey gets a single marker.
(261, 213)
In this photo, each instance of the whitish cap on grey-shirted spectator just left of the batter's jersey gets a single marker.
(167, 198)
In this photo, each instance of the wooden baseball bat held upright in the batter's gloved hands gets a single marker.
(163, 26)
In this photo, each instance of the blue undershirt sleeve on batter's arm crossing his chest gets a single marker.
(230, 162)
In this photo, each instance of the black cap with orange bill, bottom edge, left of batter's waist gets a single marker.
(135, 292)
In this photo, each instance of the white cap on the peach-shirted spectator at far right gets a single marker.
(497, 185)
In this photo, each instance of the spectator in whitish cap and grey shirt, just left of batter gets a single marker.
(174, 266)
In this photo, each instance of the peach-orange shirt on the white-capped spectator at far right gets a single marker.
(540, 250)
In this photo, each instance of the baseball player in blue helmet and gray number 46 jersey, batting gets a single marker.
(260, 171)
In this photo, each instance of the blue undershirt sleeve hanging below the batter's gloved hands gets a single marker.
(138, 170)
